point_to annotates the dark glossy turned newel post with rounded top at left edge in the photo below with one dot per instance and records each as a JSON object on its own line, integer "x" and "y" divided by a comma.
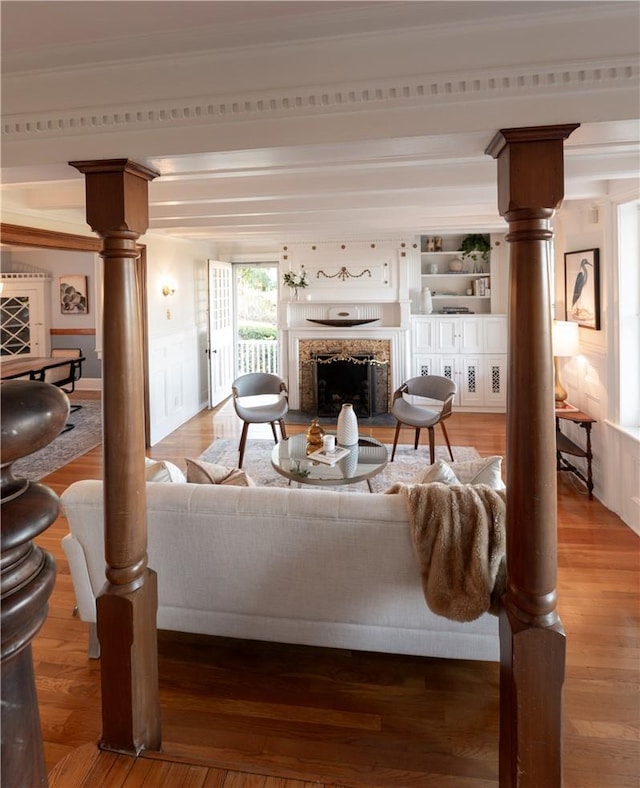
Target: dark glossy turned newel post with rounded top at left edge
{"x": 33, "y": 414}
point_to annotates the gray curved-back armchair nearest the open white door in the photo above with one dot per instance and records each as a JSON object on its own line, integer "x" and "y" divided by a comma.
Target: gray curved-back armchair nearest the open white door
{"x": 271, "y": 403}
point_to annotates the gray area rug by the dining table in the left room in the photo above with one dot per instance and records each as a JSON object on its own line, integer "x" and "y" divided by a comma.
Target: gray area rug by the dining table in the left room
{"x": 86, "y": 435}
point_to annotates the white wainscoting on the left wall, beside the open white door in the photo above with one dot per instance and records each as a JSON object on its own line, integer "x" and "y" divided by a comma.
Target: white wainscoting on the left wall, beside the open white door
{"x": 174, "y": 381}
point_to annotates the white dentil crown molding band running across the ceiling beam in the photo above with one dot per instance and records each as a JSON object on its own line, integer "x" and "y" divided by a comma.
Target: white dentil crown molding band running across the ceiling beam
{"x": 416, "y": 91}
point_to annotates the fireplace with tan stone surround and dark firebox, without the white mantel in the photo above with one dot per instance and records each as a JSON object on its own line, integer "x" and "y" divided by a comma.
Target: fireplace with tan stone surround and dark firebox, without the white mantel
{"x": 335, "y": 371}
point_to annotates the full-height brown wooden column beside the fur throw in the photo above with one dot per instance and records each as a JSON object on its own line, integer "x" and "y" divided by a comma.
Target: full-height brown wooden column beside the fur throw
{"x": 532, "y": 640}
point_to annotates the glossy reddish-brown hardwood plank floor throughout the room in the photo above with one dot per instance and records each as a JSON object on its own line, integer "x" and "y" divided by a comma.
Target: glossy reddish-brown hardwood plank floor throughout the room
{"x": 241, "y": 713}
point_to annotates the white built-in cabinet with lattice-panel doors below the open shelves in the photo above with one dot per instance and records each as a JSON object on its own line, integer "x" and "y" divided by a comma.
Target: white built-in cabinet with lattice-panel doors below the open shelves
{"x": 470, "y": 350}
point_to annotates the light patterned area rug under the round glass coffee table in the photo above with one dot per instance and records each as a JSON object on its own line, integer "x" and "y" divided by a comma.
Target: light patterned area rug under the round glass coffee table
{"x": 257, "y": 463}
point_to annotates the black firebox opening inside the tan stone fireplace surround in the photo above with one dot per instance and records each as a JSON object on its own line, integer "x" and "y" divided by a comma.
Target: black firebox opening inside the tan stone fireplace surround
{"x": 357, "y": 379}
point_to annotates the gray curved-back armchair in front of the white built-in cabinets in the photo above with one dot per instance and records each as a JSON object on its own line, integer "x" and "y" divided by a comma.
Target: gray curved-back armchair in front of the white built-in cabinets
{"x": 437, "y": 394}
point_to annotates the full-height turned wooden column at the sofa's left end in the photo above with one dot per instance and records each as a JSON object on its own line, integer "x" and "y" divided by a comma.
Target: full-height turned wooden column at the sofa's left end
{"x": 117, "y": 210}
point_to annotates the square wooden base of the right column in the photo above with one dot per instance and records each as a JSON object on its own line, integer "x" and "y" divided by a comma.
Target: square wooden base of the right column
{"x": 531, "y": 703}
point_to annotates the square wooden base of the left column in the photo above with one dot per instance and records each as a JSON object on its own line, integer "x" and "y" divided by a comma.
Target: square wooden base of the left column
{"x": 131, "y": 716}
